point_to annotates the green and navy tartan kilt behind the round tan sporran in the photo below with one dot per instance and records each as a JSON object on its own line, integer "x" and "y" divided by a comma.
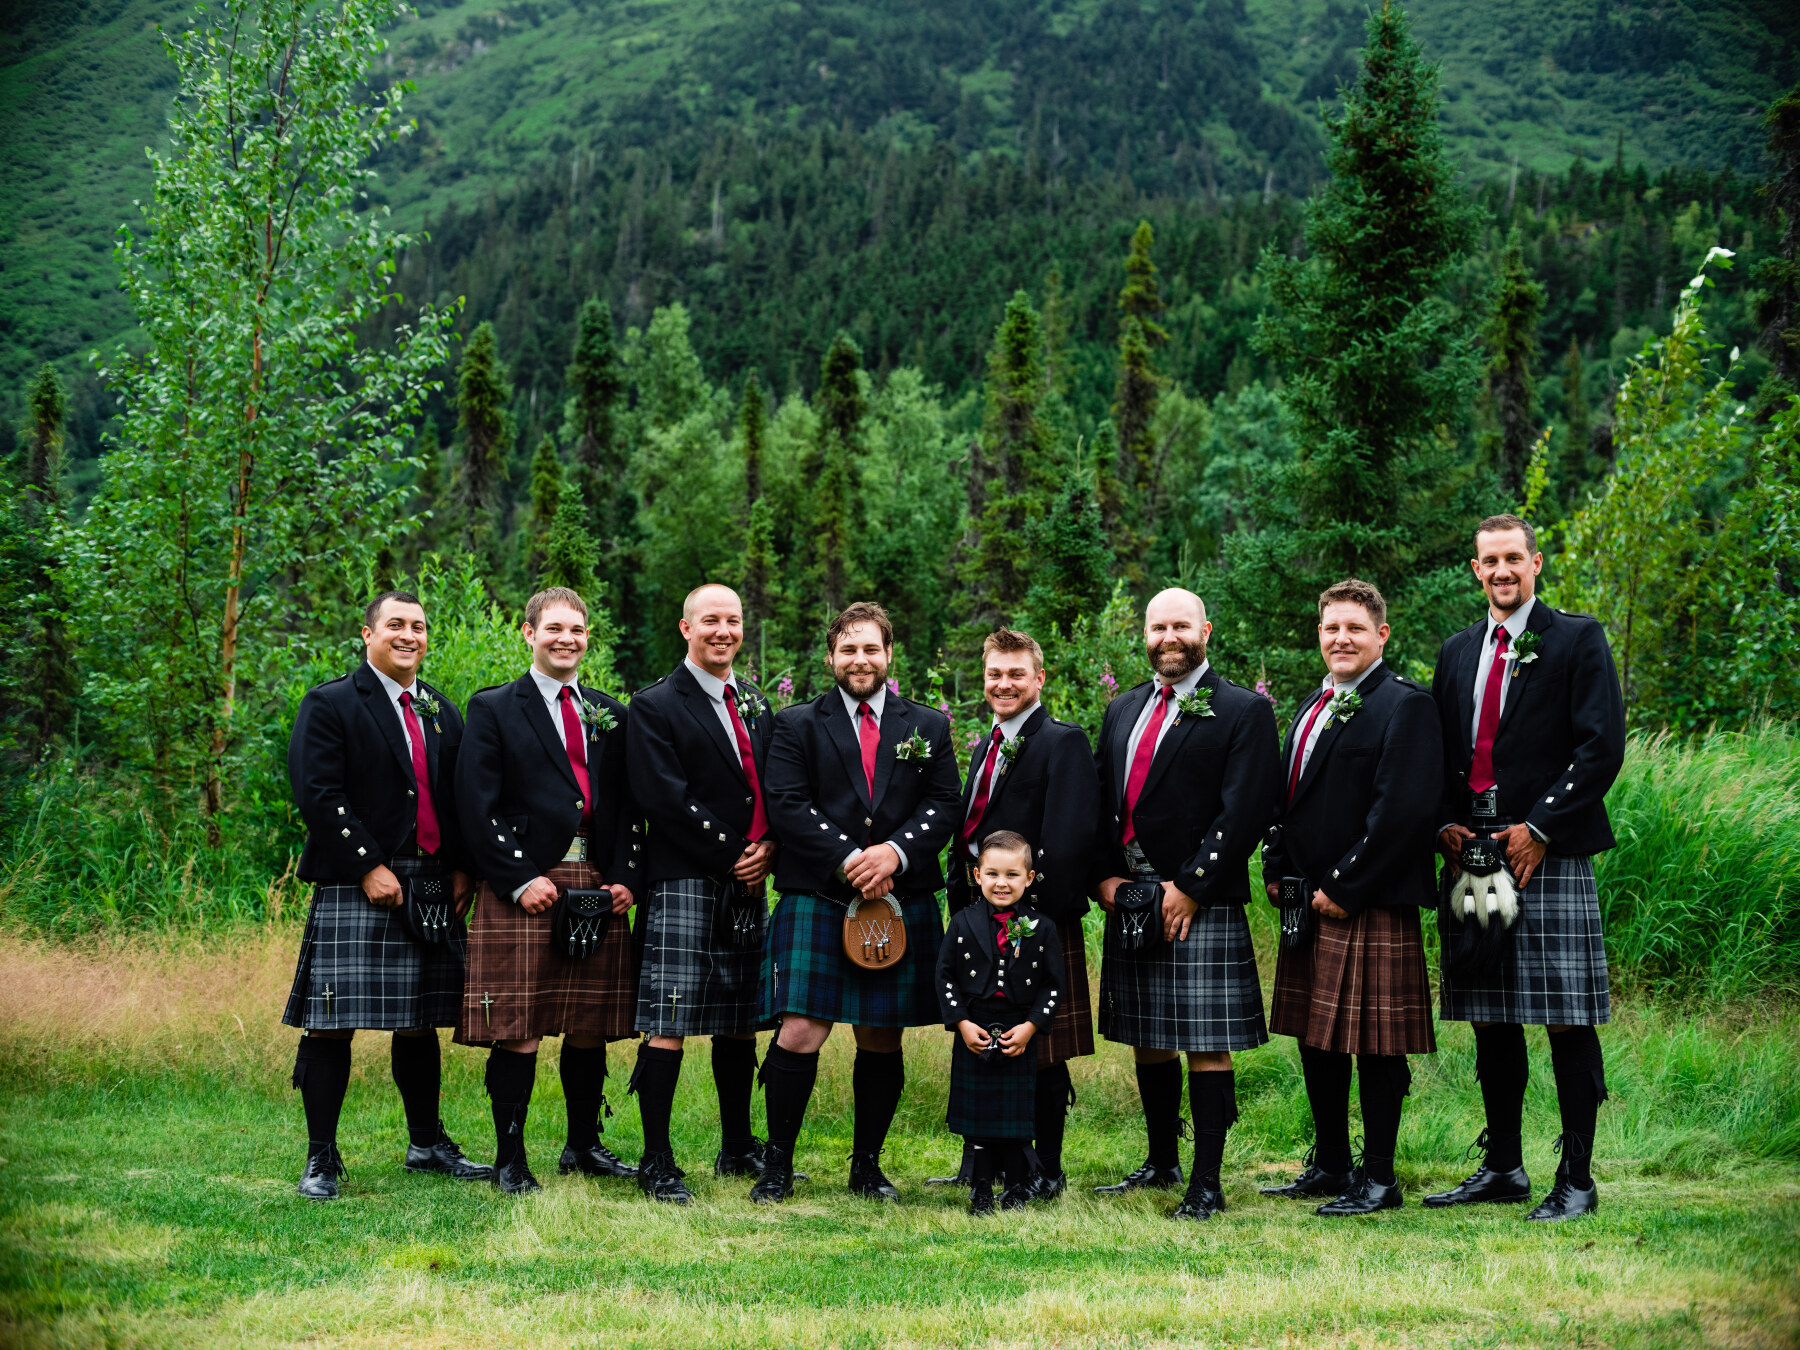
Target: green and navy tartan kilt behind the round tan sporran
{"x": 805, "y": 969}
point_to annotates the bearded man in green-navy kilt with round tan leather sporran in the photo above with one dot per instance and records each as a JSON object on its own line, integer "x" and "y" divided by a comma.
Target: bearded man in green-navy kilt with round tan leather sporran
{"x": 863, "y": 798}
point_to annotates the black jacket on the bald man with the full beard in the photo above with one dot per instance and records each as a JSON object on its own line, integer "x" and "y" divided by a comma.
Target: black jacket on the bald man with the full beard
{"x": 1210, "y": 798}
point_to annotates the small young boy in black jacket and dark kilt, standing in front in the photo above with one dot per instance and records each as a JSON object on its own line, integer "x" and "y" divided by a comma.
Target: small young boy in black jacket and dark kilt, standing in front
{"x": 1000, "y": 982}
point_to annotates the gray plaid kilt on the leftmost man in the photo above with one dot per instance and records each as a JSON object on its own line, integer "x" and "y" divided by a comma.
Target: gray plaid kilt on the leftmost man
{"x": 377, "y": 975}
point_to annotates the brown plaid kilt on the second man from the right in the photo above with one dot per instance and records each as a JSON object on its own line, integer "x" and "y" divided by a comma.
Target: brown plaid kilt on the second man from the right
{"x": 1360, "y": 987}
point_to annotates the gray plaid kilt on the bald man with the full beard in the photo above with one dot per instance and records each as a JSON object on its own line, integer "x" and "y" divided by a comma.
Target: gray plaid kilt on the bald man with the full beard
{"x": 1198, "y": 994}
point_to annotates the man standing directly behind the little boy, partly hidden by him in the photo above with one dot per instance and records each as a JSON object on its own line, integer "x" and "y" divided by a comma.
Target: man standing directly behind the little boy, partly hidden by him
{"x": 1036, "y": 777}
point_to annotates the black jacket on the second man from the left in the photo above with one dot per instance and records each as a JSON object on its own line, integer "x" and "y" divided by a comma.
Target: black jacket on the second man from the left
{"x": 521, "y": 798}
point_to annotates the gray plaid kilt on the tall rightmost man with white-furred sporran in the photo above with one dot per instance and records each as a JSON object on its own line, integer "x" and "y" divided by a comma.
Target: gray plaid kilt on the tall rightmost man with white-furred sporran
{"x": 1556, "y": 975}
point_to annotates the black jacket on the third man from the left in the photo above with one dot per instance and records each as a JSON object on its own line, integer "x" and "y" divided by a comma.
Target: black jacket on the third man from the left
{"x": 688, "y": 778}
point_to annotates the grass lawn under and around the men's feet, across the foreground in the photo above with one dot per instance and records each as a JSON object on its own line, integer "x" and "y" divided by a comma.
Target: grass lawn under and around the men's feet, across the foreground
{"x": 150, "y": 1147}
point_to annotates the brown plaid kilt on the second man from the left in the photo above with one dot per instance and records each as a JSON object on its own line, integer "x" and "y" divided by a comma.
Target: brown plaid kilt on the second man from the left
{"x": 535, "y": 991}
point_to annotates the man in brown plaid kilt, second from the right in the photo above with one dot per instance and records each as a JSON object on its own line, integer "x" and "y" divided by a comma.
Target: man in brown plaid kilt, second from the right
{"x": 1363, "y": 784}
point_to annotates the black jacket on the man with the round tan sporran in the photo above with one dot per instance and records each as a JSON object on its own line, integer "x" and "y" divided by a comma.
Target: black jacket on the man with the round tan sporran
{"x": 820, "y": 804}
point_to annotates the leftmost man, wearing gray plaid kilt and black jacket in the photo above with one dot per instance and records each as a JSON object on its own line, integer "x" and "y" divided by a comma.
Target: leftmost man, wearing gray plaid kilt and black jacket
{"x": 372, "y": 762}
